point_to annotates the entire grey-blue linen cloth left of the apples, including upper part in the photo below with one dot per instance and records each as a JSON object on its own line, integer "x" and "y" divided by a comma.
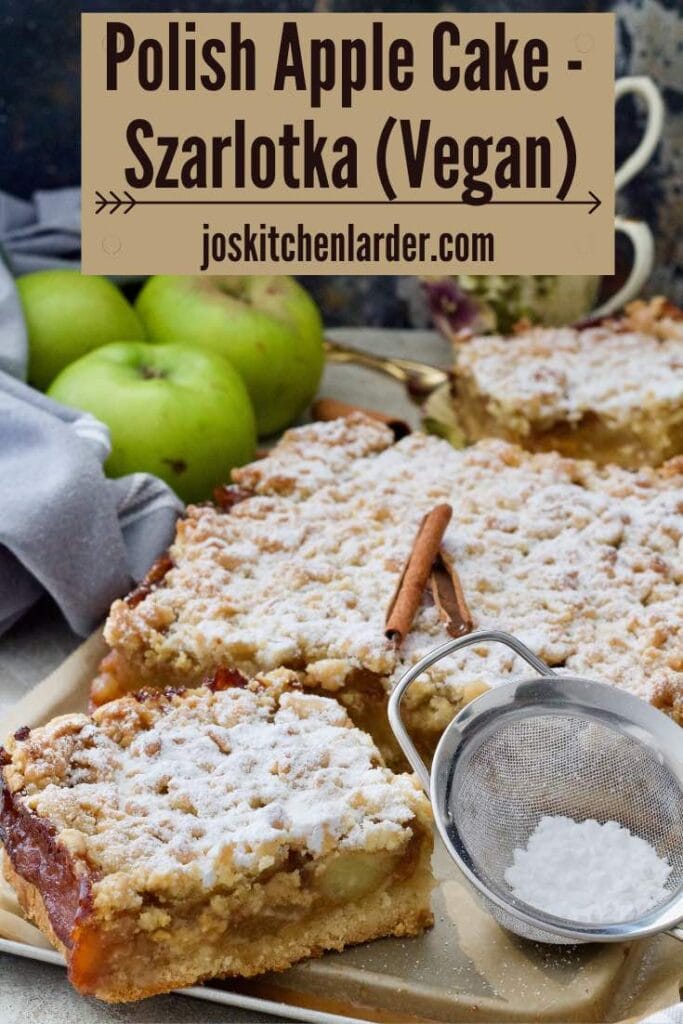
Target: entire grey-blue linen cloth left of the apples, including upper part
{"x": 65, "y": 528}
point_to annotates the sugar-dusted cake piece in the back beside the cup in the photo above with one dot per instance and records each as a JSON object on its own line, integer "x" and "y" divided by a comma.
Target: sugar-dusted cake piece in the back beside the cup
{"x": 612, "y": 393}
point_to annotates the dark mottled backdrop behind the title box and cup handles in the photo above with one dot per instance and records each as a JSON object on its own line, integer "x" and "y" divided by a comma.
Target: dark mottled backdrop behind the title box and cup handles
{"x": 40, "y": 129}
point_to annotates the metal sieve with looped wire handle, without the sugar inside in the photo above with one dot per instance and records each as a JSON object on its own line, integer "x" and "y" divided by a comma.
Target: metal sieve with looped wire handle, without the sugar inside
{"x": 552, "y": 745}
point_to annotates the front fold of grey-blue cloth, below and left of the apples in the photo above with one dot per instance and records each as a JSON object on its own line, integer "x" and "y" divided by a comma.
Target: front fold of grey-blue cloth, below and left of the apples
{"x": 65, "y": 528}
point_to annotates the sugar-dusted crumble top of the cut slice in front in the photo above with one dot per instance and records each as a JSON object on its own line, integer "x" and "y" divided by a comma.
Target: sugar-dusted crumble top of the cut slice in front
{"x": 200, "y": 789}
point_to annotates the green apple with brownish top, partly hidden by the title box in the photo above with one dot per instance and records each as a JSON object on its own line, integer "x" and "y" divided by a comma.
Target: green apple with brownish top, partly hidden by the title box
{"x": 269, "y": 328}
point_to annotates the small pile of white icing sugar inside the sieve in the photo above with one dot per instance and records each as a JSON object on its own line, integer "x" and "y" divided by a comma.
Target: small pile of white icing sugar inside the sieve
{"x": 587, "y": 872}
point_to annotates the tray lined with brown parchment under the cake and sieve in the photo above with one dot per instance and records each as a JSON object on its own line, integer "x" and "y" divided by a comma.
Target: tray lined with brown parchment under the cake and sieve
{"x": 465, "y": 969}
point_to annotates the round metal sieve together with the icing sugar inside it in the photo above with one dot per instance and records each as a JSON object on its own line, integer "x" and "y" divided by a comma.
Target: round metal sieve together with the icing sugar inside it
{"x": 562, "y": 801}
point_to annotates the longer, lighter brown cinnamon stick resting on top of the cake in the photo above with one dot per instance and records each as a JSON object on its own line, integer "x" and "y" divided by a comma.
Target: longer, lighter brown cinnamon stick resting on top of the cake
{"x": 408, "y": 596}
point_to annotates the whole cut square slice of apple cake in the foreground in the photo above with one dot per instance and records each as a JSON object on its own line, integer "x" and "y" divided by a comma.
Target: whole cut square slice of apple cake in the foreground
{"x": 179, "y": 836}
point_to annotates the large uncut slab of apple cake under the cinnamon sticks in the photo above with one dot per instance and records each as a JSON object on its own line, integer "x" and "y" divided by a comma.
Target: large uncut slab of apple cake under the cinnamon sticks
{"x": 298, "y": 565}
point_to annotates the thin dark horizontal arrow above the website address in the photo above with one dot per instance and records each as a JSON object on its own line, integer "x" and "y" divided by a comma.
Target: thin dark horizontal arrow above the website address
{"x": 125, "y": 205}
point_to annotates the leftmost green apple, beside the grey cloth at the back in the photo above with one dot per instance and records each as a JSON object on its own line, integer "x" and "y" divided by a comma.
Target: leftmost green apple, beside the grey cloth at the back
{"x": 69, "y": 315}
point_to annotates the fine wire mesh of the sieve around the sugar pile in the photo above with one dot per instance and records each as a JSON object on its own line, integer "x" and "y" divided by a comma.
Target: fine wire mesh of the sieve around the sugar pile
{"x": 527, "y": 765}
